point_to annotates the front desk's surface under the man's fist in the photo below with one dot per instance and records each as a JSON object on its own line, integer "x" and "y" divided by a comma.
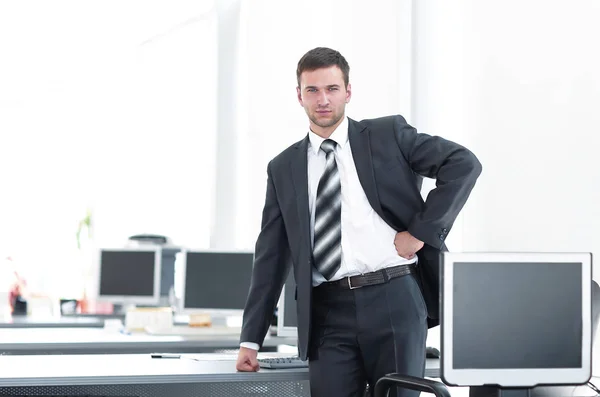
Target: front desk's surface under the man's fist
{"x": 68, "y": 370}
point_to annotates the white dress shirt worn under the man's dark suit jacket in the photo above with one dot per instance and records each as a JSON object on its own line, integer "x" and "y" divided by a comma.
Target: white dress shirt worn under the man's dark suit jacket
{"x": 367, "y": 241}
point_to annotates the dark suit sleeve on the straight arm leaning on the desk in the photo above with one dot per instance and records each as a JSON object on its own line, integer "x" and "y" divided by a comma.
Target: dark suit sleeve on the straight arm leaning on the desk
{"x": 271, "y": 266}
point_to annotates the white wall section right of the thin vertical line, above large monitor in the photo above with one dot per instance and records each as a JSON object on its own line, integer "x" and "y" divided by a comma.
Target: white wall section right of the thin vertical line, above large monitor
{"x": 519, "y": 84}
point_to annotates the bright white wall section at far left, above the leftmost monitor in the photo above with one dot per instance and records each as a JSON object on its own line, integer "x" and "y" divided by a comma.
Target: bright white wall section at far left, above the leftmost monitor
{"x": 108, "y": 105}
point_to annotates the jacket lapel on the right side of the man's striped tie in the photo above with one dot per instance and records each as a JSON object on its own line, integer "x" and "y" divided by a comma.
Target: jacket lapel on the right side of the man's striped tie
{"x": 360, "y": 143}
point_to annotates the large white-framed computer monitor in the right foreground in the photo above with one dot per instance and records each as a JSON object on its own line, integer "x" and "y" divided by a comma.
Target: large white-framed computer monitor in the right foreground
{"x": 516, "y": 320}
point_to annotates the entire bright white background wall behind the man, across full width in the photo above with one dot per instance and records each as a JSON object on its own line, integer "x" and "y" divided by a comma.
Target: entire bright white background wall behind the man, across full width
{"x": 517, "y": 82}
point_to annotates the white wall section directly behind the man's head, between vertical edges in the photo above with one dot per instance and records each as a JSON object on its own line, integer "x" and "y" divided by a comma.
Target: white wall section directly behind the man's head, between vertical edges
{"x": 373, "y": 36}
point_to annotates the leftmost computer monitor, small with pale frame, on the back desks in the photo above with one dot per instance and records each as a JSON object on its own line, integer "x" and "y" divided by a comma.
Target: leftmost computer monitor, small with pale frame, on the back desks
{"x": 130, "y": 275}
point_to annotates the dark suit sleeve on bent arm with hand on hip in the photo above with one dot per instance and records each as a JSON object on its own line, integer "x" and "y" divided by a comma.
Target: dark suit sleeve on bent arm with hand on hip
{"x": 455, "y": 170}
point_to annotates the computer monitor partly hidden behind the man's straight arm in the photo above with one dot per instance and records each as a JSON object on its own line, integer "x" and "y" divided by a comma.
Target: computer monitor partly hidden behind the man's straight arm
{"x": 215, "y": 281}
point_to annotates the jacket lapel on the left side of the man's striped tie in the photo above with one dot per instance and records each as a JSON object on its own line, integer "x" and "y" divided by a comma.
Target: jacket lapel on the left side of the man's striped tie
{"x": 299, "y": 168}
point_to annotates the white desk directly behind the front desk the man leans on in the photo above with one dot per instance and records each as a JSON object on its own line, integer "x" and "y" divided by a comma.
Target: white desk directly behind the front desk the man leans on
{"x": 35, "y": 341}
